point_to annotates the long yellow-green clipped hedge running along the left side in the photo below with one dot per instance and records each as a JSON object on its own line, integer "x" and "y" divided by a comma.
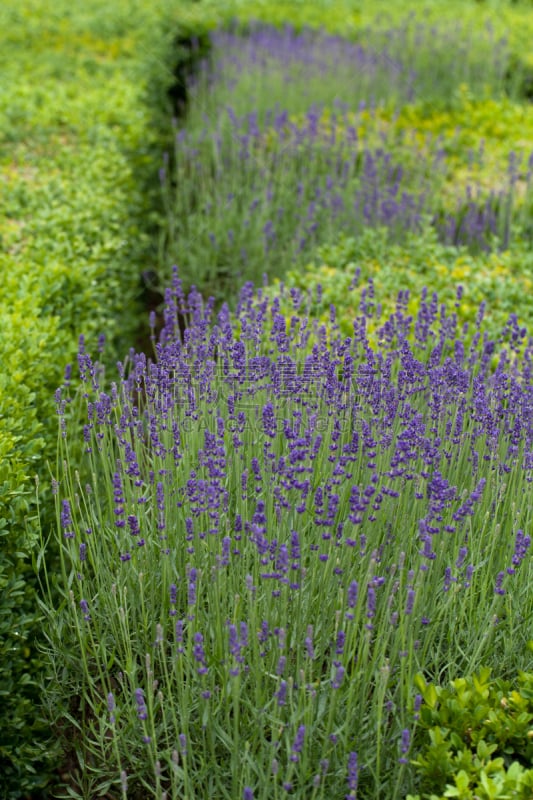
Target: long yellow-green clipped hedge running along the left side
{"x": 83, "y": 124}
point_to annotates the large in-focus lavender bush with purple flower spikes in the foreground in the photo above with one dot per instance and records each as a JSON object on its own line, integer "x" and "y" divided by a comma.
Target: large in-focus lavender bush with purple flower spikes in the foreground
{"x": 272, "y": 530}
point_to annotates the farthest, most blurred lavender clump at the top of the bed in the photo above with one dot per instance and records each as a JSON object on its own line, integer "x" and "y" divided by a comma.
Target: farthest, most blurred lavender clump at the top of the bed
{"x": 257, "y": 66}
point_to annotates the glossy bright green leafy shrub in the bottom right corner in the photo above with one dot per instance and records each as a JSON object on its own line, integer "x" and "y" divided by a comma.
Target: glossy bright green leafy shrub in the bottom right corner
{"x": 480, "y": 735}
